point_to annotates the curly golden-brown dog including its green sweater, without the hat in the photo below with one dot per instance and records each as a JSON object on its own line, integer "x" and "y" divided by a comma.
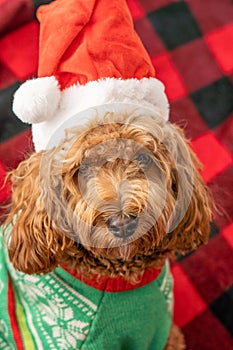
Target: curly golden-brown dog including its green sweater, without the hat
{"x": 105, "y": 208}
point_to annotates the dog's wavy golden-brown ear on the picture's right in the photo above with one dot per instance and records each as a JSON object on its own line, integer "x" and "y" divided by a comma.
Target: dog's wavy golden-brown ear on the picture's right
{"x": 189, "y": 225}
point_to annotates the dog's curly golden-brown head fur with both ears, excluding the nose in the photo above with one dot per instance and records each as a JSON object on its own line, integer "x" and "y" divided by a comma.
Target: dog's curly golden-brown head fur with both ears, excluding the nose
{"x": 138, "y": 167}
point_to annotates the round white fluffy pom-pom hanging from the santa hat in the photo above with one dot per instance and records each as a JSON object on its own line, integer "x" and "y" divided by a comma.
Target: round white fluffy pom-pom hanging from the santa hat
{"x": 37, "y": 100}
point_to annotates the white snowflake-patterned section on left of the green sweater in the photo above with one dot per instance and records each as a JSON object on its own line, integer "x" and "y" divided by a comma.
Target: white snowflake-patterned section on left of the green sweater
{"x": 55, "y": 306}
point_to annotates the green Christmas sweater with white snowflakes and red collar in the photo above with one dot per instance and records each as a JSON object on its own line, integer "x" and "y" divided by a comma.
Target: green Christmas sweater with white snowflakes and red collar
{"x": 58, "y": 311}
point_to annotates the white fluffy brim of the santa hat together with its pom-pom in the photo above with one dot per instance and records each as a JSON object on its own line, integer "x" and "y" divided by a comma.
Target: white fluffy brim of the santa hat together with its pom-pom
{"x": 146, "y": 93}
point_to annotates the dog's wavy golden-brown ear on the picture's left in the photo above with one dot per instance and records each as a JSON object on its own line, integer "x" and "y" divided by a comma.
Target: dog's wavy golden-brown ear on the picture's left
{"x": 35, "y": 244}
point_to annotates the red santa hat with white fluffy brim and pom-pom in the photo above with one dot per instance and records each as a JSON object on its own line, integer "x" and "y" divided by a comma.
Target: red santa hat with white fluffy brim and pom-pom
{"x": 89, "y": 56}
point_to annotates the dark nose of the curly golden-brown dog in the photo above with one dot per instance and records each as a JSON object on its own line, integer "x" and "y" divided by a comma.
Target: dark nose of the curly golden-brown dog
{"x": 122, "y": 226}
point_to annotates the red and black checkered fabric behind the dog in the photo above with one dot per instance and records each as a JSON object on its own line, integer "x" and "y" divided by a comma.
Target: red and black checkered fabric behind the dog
{"x": 191, "y": 46}
